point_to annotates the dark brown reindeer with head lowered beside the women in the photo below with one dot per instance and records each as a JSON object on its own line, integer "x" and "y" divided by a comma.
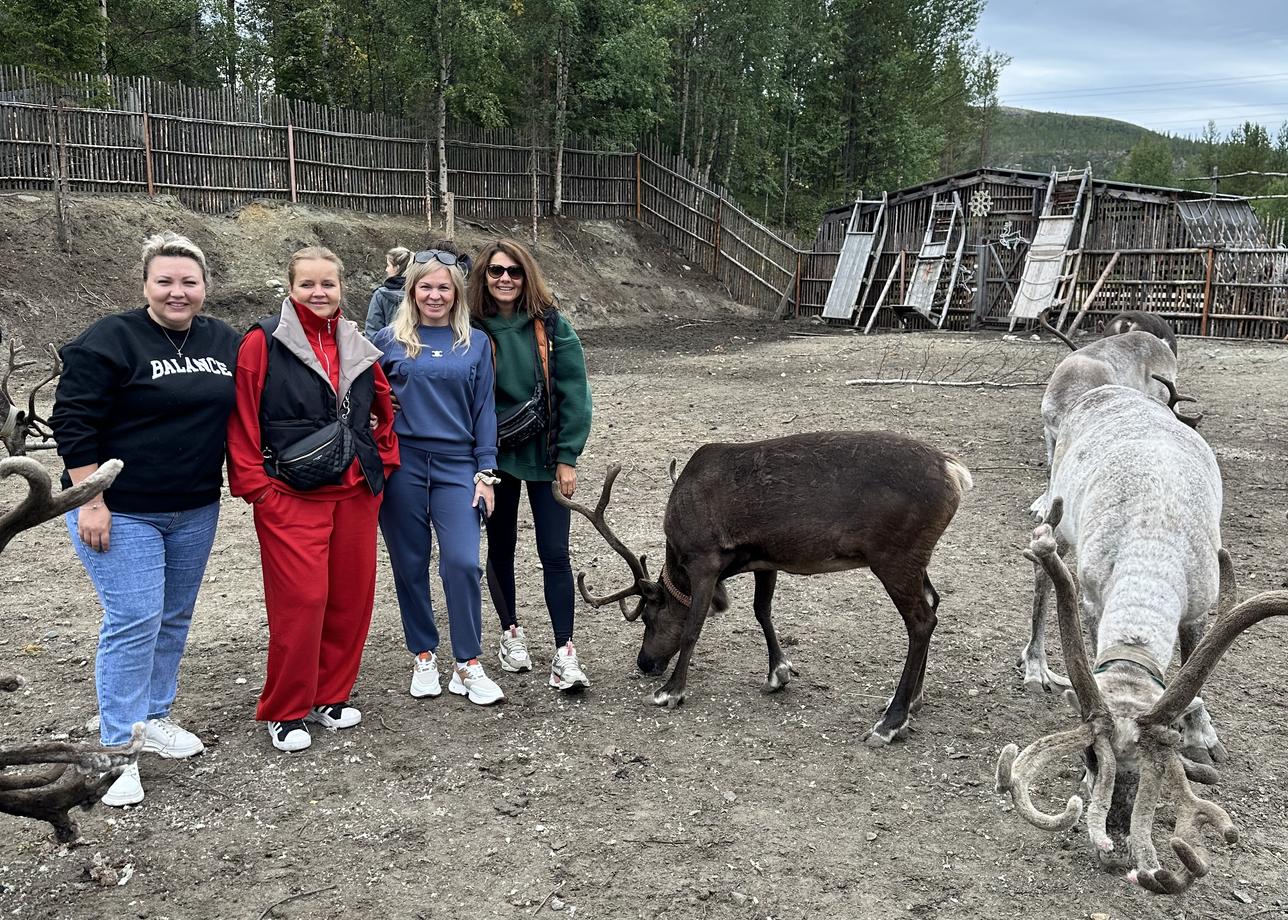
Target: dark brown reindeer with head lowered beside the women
{"x": 803, "y": 504}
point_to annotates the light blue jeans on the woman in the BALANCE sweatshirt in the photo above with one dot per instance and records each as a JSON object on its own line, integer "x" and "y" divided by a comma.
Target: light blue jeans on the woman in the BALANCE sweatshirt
{"x": 147, "y": 582}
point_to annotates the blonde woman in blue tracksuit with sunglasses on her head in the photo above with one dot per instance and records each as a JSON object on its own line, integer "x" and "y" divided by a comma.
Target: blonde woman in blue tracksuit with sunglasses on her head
{"x": 441, "y": 373}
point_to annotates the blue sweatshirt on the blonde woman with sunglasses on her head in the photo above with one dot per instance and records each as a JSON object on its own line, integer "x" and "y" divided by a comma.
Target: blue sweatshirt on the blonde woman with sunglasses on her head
{"x": 446, "y": 398}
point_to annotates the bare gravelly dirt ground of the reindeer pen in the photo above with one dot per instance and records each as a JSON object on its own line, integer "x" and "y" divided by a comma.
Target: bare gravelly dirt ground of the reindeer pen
{"x": 737, "y": 805}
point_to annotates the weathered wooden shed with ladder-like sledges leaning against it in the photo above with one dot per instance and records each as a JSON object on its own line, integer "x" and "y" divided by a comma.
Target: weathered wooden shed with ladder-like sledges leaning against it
{"x": 978, "y": 248}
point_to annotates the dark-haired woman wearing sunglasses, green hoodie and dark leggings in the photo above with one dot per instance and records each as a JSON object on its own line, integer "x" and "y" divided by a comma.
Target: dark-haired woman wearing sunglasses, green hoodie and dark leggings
{"x": 538, "y": 356}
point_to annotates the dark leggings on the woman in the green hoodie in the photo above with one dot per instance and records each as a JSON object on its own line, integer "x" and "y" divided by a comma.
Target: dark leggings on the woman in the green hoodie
{"x": 552, "y": 521}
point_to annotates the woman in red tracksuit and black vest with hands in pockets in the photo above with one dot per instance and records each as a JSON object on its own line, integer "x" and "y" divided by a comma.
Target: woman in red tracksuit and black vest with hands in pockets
{"x": 297, "y": 374}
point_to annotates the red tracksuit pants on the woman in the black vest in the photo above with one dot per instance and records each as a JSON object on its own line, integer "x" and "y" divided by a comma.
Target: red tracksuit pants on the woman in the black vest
{"x": 320, "y": 584}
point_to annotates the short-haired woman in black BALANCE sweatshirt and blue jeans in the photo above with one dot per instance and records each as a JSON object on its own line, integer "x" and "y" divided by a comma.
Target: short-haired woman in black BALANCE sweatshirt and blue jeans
{"x": 154, "y": 388}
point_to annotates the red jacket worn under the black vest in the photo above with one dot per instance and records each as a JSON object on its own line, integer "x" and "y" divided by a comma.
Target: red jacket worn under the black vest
{"x": 247, "y": 476}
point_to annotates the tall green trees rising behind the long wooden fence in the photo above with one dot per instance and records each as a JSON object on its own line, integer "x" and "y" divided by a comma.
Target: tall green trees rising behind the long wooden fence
{"x": 793, "y": 105}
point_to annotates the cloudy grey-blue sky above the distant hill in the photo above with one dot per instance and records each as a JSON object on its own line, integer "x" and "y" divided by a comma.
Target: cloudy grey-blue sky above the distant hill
{"x": 1226, "y": 60}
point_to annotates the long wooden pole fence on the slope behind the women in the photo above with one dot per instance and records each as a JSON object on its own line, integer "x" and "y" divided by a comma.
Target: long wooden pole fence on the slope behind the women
{"x": 218, "y": 151}
